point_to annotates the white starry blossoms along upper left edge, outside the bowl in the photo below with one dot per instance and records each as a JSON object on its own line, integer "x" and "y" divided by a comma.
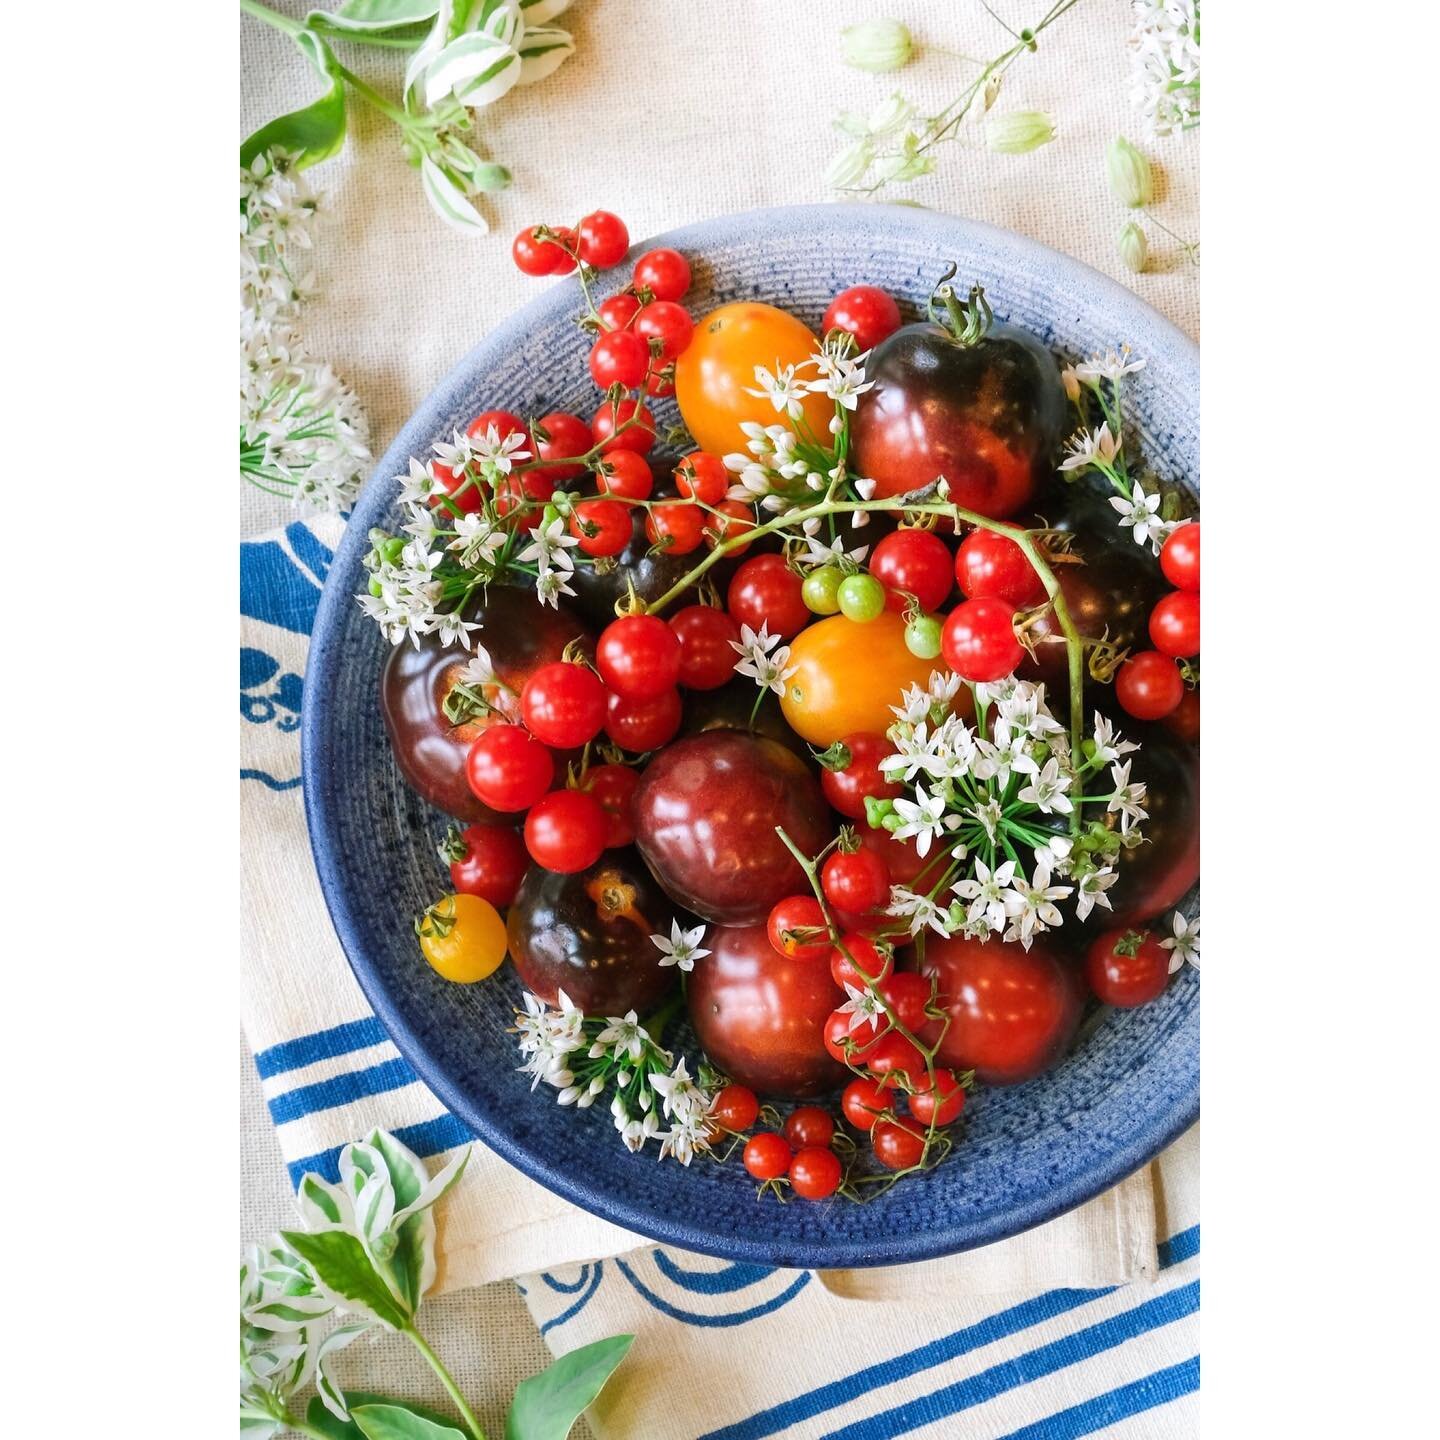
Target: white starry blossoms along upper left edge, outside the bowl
{"x": 302, "y": 430}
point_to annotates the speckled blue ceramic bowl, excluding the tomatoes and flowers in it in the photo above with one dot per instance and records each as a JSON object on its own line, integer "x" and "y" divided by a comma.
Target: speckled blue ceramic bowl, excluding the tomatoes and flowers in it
{"x": 1029, "y": 1153}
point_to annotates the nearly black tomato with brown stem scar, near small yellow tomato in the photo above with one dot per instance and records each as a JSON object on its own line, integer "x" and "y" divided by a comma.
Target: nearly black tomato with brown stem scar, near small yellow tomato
{"x": 588, "y": 935}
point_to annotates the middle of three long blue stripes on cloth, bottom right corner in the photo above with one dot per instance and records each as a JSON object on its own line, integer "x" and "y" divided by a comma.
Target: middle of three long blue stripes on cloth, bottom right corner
{"x": 1025, "y": 1370}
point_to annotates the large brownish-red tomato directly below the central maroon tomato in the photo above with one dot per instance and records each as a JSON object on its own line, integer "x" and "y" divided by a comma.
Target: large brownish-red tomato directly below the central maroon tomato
{"x": 761, "y": 1016}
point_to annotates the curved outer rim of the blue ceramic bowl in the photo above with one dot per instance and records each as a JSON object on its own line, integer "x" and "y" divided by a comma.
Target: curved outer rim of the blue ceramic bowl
{"x": 322, "y": 695}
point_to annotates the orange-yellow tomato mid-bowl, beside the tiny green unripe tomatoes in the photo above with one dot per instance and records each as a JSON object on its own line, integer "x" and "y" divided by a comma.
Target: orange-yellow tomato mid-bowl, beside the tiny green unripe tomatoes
{"x": 847, "y": 678}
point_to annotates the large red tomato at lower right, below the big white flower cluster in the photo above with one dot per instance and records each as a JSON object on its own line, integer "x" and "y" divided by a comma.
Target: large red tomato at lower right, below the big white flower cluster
{"x": 1013, "y": 1012}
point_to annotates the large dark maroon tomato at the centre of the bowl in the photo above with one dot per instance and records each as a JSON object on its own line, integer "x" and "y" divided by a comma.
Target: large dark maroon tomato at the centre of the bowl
{"x": 706, "y": 816}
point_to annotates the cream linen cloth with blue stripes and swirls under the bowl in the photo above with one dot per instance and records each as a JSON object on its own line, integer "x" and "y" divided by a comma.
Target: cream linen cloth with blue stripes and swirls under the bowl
{"x": 983, "y": 1350}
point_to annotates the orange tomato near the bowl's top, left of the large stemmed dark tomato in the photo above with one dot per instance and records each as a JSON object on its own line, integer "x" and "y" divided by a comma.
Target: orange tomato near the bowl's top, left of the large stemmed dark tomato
{"x": 718, "y": 368}
